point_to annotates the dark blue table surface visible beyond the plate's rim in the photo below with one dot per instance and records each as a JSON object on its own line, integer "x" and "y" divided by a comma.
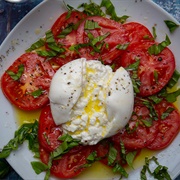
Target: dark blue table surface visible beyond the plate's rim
{"x": 12, "y": 13}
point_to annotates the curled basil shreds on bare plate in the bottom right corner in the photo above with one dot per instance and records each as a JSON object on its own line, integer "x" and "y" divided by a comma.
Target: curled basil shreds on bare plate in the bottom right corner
{"x": 160, "y": 172}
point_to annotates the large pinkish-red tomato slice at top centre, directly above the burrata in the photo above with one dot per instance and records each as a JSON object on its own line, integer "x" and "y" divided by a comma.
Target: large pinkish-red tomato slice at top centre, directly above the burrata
{"x": 108, "y": 51}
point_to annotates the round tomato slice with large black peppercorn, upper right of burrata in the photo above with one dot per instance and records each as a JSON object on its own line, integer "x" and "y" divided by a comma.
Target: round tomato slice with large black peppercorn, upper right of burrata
{"x": 163, "y": 65}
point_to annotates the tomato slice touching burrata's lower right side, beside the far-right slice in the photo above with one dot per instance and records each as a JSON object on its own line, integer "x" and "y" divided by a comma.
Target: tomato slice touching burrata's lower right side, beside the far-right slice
{"x": 140, "y": 135}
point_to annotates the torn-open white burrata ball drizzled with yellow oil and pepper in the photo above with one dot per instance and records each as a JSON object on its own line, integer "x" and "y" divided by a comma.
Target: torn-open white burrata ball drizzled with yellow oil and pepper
{"x": 90, "y": 100}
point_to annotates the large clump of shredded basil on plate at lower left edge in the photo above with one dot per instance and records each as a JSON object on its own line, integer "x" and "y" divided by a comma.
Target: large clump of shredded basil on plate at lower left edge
{"x": 27, "y": 131}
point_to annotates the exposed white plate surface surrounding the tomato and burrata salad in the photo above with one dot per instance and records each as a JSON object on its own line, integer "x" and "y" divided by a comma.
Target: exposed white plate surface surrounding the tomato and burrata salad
{"x": 33, "y": 26}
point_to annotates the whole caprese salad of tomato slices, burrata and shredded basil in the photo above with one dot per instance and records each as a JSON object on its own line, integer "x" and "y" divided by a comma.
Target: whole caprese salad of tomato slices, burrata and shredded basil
{"x": 102, "y": 85}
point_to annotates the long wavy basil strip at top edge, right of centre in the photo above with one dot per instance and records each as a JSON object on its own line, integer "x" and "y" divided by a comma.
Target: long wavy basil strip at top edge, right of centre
{"x": 110, "y": 10}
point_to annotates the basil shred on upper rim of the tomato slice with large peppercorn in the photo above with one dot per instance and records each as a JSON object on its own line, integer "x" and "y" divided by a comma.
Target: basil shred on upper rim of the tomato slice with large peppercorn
{"x": 156, "y": 49}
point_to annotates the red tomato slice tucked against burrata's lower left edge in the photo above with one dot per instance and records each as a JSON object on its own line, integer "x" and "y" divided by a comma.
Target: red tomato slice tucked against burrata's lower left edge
{"x": 48, "y": 132}
